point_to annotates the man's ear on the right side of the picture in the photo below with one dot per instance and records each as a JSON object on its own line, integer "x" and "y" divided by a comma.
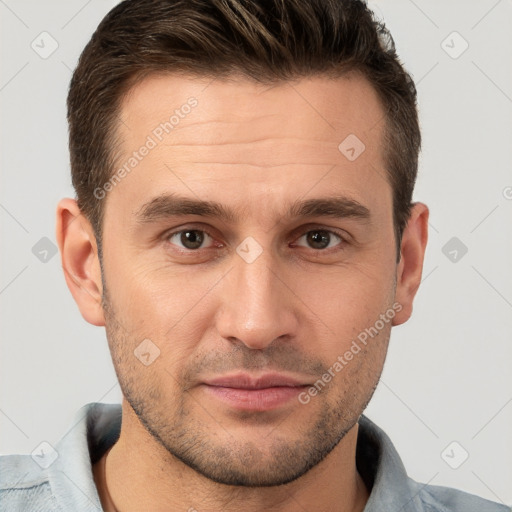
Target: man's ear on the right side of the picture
{"x": 412, "y": 252}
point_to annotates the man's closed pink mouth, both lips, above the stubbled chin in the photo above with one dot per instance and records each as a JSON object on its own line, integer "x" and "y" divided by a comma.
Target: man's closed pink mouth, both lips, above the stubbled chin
{"x": 249, "y": 393}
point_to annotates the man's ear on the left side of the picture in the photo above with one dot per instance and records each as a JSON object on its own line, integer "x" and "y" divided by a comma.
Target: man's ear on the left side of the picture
{"x": 80, "y": 262}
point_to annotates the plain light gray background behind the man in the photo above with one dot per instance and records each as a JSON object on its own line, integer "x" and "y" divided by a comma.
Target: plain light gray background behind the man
{"x": 447, "y": 377}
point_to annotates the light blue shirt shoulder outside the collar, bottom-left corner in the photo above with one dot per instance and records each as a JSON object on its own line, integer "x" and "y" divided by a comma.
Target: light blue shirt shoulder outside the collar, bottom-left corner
{"x": 24, "y": 485}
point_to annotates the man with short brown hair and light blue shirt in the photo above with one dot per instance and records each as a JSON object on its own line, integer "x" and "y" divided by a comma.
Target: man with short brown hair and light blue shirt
{"x": 244, "y": 231}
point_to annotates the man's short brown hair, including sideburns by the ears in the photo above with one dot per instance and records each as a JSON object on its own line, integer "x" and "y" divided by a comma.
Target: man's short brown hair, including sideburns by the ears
{"x": 267, "y": 41}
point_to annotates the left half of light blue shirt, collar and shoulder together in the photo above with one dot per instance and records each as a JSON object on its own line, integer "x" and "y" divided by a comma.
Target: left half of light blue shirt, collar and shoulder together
{"x": 60, "y": 478}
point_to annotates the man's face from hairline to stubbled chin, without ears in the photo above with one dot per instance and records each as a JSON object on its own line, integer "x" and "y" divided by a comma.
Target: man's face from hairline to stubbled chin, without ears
{"x": 275, "y": 287}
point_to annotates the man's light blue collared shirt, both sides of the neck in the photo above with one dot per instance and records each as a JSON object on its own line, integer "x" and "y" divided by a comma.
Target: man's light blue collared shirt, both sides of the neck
{"x": 61, "y": 479}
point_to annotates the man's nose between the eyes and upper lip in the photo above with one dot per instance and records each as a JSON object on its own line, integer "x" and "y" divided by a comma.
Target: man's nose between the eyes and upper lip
{"x": 258, "y": 305}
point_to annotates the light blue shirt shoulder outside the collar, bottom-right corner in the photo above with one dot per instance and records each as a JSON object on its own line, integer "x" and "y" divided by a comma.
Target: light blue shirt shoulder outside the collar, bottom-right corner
{"x": 436, "y": 498}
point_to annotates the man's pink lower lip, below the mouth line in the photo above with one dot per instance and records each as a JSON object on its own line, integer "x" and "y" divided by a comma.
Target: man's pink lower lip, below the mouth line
{"x": 255, "y": 399}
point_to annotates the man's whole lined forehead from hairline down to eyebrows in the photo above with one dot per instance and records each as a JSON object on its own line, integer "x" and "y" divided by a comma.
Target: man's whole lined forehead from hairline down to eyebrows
{"x": 238, "y": 139}
